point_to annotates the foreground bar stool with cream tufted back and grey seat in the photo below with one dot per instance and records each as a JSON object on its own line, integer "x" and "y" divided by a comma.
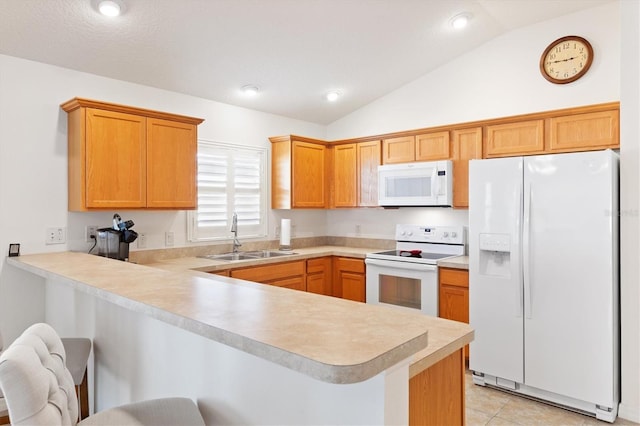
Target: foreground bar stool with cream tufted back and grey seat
{"x": 37, "y": 386}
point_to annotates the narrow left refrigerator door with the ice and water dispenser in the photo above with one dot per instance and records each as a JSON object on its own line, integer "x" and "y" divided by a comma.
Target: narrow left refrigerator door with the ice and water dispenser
{"x": 495, "y": 267}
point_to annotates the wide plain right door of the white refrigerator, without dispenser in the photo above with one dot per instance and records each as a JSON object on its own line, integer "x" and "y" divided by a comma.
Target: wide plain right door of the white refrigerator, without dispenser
{"x": 569, "y": 300}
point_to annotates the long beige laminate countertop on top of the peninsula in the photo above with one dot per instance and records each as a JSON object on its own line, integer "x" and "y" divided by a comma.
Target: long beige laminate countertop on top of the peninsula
{"x": 330, "y": 339}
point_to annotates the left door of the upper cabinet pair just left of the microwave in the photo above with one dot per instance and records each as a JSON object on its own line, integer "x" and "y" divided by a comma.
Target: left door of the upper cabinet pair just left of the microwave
{"x": 345, "y": 176}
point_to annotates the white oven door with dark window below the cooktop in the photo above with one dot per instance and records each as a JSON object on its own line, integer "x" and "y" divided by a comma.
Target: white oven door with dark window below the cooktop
{"x": 406, "y": 285}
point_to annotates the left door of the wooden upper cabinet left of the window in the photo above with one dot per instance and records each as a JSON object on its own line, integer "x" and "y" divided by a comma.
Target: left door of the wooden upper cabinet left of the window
{"x": 115, "y": 160}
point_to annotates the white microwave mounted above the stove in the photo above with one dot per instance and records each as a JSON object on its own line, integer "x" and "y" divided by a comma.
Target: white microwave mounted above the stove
{"x": 427, "y": 183}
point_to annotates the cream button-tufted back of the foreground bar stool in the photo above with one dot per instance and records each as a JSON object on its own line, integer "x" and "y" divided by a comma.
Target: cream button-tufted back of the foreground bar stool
{"x": 38, "y": 388}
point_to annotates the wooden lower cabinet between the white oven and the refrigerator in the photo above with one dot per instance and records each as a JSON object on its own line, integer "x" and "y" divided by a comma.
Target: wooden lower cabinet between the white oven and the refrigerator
{"x": 453, "y": 295}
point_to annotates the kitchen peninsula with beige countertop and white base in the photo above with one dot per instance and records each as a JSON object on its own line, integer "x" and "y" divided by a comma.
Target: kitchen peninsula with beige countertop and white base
{"x": 245, "y": 352}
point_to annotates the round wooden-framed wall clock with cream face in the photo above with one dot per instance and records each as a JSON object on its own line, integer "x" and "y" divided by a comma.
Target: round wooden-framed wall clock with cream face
{"x": 566, "y": 59}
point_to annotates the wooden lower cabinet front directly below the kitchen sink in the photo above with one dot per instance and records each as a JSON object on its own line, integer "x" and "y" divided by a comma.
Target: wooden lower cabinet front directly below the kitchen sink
{"x": 286, "y": 274}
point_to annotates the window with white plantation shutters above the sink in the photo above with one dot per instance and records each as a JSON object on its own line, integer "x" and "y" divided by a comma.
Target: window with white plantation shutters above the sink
{"x": 231, "y": 178}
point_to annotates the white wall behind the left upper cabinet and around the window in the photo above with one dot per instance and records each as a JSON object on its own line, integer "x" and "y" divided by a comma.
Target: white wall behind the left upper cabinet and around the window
{"x": 33, "y": 167}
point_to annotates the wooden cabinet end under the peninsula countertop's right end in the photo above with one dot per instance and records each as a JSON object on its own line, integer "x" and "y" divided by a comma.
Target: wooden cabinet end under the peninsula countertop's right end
{"x": 436, "y": 395}
